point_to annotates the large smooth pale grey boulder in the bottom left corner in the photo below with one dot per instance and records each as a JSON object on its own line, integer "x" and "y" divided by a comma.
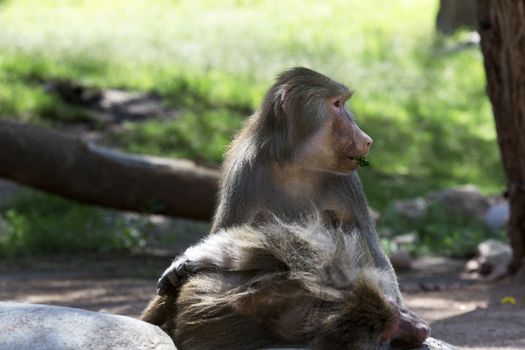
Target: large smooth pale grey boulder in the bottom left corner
{"x": 43, "y": 327}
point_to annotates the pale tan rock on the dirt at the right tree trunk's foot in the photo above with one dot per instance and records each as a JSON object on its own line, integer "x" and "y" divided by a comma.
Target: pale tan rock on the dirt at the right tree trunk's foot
{"x": 493, "y": 256}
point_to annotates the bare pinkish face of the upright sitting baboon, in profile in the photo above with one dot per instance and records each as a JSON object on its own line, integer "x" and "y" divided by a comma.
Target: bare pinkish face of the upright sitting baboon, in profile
{"x": 338, "y": 143}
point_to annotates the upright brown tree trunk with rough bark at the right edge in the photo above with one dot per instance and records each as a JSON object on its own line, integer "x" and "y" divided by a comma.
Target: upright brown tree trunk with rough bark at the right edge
{"x": 502, "y": 30}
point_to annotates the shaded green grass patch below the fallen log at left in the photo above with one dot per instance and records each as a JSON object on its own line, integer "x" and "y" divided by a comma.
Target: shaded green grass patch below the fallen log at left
{"x": 36, "y": 223}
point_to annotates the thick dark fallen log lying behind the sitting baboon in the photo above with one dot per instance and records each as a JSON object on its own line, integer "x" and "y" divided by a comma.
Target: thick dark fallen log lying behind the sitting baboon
{"x": 76, "y": 169}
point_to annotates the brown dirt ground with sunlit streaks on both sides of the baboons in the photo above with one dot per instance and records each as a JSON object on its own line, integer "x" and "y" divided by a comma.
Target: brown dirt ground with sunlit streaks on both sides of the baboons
{"x": 462, "y": 311}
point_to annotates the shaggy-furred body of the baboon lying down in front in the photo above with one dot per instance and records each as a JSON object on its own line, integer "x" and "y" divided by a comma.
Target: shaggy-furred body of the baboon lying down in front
{"x": 272, "y": 284}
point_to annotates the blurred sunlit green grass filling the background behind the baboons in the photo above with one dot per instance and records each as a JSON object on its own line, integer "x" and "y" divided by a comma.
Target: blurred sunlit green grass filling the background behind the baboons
{"x": 421, "y": 99}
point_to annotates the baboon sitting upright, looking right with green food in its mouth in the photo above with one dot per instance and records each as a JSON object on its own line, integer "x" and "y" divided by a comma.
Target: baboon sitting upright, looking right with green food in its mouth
{"x": 297, "y": 153}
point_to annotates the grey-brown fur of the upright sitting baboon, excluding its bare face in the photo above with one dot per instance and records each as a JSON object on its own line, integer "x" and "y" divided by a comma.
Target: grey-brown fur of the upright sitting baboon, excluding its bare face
{"x": 266, "y": 144}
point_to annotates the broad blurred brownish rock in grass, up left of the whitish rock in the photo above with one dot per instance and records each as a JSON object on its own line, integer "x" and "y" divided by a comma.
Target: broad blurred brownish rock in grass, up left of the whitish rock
{"x": 465, "y": 201}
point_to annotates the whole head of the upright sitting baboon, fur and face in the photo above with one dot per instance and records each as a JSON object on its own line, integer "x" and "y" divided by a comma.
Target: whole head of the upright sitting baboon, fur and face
{"x": 304, "y": 120}
